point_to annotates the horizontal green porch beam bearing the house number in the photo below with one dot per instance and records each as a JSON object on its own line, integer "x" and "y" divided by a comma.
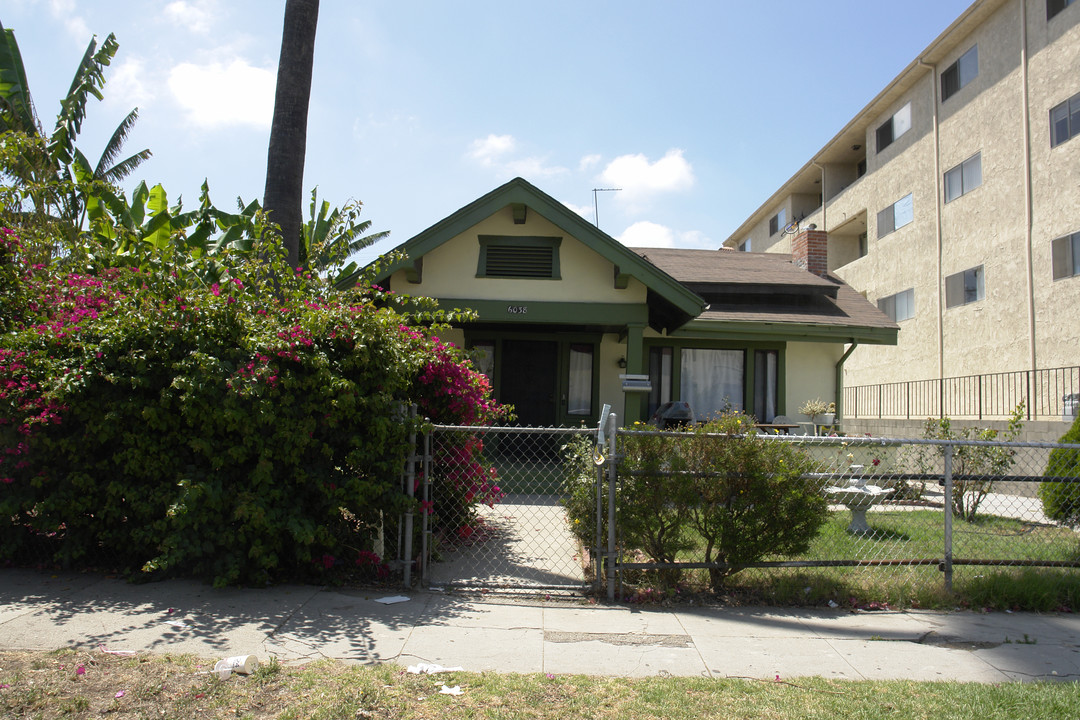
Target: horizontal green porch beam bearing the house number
{"x": 526, "y": 313}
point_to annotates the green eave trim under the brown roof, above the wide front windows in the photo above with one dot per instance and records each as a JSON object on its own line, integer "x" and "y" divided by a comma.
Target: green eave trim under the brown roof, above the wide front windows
{"x": 785, "y": 332}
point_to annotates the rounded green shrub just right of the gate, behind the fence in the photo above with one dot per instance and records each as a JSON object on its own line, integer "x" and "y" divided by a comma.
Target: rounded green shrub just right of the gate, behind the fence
{"x": 721, "y": 492}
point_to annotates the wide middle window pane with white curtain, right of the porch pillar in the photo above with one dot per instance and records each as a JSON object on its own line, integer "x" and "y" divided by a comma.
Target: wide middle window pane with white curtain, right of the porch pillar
{"x": 712, "y": 381}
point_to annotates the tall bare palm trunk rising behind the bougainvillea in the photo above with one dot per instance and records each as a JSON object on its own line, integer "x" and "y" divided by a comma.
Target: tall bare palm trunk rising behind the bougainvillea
{"x": 289, "y": 132}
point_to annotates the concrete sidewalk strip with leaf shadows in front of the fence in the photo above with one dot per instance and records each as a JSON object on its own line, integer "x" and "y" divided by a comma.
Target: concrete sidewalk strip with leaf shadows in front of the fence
{"x": 296, "y": 624}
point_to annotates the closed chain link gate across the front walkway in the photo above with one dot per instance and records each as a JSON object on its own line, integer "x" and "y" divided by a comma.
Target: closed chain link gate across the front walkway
{"x": 493, "y": 504}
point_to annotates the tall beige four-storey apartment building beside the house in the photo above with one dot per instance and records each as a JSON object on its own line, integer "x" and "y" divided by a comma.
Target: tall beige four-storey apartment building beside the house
{"x": 952, "y": 201}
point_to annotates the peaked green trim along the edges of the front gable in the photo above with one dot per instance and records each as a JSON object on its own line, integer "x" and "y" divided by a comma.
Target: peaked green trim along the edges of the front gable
{"x": 687, "y": 304}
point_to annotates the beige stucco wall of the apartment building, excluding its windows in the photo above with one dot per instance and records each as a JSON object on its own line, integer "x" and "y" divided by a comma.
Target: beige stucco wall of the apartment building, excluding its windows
{"x": 987, "y": 227}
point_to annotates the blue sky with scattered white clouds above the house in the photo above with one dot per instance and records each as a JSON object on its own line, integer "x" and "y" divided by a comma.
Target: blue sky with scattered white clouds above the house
{"x": 699, "y": 111}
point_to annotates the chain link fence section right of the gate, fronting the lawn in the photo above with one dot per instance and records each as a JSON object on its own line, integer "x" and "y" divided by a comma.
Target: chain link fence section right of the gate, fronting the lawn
{"x": 892, "y": 519}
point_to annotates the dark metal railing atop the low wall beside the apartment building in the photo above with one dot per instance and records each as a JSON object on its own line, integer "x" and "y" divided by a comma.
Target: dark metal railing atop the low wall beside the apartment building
{"x": 1047, "y": 395}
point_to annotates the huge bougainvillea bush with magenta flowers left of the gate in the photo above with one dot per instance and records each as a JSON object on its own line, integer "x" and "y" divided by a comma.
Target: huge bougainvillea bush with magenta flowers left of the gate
{"x": 241, "y": 431}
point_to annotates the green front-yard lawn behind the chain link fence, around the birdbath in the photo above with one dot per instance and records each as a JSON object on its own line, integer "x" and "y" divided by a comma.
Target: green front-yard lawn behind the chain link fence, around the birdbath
{"x": 919, "y": 535}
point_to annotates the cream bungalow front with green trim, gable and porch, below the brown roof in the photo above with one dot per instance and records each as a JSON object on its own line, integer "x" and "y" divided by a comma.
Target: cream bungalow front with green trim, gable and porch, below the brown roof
{"x": 556, "y": 341}
